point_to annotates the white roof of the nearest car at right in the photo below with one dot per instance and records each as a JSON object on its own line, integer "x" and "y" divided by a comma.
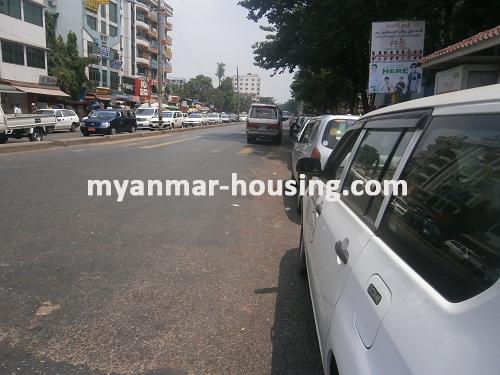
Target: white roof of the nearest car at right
{"x": 480, "y": 95}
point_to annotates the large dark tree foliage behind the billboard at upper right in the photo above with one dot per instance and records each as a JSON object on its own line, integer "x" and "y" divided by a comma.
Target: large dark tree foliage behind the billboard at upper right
{"x": 330, "y": 39}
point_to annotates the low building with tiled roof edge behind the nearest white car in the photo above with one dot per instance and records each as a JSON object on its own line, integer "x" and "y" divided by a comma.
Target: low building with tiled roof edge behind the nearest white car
{"x": 470, "y": 63}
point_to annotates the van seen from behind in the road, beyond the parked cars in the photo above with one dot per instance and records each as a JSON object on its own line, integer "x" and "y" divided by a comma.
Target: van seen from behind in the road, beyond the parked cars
{"x": 264, "y": 122}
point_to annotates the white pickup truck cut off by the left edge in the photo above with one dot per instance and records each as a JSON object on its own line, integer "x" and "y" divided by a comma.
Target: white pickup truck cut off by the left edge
{"x": 32, "y": 126}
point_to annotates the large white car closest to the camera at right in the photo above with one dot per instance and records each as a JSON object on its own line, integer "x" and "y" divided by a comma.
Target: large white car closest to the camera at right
{"x": 385, "y": 297}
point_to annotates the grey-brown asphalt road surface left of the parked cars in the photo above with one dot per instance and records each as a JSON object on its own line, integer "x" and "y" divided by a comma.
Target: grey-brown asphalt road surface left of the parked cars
{"x": 152, "y": 285}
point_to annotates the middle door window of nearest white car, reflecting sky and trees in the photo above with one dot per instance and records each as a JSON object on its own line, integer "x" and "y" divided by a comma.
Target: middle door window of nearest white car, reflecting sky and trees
{"x": 376, "y": 159}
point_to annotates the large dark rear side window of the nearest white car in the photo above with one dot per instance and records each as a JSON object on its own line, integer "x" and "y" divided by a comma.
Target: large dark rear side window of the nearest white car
{"x": 447, "y": 227}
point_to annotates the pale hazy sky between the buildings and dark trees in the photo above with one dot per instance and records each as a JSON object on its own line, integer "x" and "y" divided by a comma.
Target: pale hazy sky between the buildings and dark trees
{"x": 209, "y": 31}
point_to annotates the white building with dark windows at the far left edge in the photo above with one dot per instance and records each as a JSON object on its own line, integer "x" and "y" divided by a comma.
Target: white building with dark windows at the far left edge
{"x": 23, "y": 56}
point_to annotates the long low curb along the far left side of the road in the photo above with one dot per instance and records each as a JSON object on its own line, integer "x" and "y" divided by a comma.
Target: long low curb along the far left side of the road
{"x": 57, "y": 143}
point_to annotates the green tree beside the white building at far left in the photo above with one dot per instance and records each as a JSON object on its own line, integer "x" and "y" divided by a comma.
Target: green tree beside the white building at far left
{"x": 64, "y": 61}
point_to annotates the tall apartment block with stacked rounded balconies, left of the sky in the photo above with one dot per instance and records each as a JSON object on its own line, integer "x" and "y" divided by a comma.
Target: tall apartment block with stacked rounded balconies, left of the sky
{"x": 143, "y": 38}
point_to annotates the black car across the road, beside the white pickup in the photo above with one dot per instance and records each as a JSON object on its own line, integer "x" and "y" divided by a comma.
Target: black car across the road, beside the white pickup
{"x": 109, "y": 121}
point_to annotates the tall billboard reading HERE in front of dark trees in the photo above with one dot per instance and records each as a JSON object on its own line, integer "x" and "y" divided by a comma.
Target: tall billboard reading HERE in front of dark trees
{"x": 396, "y": 48}
